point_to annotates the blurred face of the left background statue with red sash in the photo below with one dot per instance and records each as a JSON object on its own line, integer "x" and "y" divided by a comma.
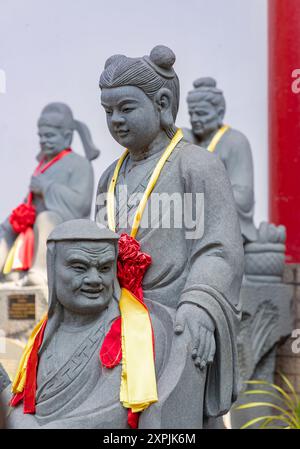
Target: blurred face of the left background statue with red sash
{"x": 53, "y": 140}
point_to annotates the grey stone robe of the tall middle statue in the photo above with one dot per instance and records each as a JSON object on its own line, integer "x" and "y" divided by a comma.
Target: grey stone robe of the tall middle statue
{"x": 206, "y": 271}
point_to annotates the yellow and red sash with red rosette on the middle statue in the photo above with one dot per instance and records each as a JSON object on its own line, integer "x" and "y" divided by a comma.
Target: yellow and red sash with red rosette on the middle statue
{"x": 130, "y": 338}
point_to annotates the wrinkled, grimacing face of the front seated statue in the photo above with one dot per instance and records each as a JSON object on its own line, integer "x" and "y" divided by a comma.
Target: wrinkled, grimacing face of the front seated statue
{"x": 84, "y": 275}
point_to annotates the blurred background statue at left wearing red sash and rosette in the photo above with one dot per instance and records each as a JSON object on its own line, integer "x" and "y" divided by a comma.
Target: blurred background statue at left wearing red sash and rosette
{"x": 60, "y": 189}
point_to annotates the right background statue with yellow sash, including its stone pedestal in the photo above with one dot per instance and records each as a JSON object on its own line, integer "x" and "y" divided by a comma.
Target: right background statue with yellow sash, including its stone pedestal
{"x": 266, "y": 300}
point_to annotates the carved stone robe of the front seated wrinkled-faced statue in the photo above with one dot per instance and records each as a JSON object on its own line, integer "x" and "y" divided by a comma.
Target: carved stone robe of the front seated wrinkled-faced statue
{"x": 78, "y": 392}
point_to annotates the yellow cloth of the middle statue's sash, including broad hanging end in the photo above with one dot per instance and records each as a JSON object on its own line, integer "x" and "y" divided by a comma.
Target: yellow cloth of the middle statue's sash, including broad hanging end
{"x": 138, "y": 381}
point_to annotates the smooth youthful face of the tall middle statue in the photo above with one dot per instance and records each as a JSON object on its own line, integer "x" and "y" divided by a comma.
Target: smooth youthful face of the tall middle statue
{"x": 132, "y": 118}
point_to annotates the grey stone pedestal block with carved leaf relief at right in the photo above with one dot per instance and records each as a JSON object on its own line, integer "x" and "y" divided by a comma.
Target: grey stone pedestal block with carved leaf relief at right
{"x": 266, "y": 322}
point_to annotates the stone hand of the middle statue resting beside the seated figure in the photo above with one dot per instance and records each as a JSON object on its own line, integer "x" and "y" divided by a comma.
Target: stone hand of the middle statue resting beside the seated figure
{"x": 202, "y": 330}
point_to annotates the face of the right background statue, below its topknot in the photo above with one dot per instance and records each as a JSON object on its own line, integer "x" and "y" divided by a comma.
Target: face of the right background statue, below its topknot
{"x": 204, "y": 118}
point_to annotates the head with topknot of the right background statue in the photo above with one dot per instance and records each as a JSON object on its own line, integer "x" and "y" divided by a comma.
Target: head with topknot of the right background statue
{"x": 206, "y": 105}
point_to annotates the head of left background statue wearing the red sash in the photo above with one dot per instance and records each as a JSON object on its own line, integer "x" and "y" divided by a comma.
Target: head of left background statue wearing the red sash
{"x": 55, "y": 129}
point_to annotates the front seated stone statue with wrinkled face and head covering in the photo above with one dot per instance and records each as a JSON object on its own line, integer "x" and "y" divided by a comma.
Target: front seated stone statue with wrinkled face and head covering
{"x": 73, "y": 389}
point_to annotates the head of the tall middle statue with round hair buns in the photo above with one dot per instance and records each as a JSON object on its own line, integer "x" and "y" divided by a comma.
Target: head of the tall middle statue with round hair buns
{"x": 140, "y": 97}
